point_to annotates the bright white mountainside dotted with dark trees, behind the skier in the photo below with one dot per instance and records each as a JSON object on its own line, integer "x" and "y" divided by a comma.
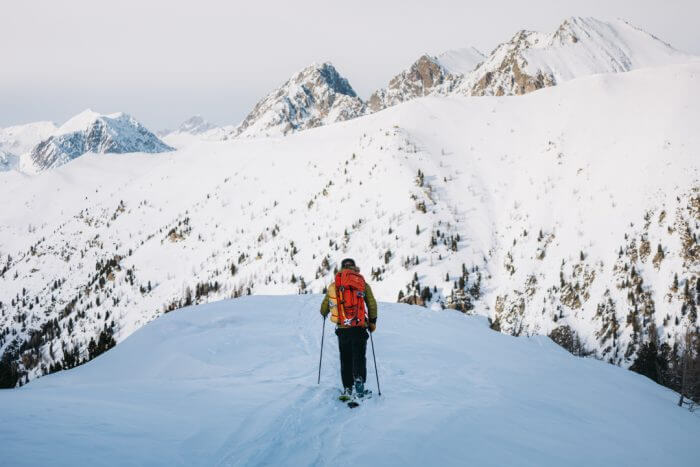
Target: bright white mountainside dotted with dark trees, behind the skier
{"x": 538, "y": 211}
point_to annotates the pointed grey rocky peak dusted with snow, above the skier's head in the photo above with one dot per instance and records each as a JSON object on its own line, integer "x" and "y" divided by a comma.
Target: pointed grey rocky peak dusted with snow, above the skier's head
{"x": 317, "y": 95}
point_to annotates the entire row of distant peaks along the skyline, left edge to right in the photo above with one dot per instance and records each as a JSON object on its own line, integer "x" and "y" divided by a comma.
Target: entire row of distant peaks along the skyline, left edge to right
{"x": 319, "y": 95}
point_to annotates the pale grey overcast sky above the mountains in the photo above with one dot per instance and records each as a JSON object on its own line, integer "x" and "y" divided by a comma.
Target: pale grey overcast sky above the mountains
{"x": 163, "y": 61}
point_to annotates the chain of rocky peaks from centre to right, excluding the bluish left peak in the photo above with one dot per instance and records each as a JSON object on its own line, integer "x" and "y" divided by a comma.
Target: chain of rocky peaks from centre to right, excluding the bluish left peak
{"x": 319, "y": 95}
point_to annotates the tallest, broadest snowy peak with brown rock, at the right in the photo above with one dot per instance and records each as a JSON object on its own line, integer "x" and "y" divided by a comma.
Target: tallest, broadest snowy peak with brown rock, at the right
{"x": 579, "y": 47}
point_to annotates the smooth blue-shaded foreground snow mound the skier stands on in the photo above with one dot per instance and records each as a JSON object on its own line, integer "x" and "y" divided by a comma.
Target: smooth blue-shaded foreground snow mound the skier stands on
{"x": 234, "y": 383}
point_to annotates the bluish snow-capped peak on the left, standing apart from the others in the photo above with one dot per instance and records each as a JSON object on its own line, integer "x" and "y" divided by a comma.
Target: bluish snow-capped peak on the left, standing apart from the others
{"x": 90, "y": 131}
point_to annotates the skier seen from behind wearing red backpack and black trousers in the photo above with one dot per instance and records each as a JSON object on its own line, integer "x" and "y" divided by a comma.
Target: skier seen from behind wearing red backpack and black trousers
{"x": 354, "y": 311}
